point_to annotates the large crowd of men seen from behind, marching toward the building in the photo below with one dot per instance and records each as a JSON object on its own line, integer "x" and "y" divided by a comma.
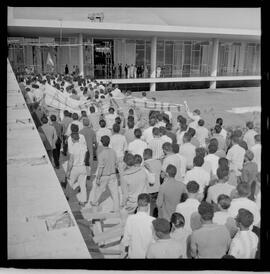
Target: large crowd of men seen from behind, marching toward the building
{"x": 190, "y": 191}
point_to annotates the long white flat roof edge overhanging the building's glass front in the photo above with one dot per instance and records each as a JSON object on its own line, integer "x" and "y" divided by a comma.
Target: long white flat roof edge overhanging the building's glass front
{"x": 51, "y": 28}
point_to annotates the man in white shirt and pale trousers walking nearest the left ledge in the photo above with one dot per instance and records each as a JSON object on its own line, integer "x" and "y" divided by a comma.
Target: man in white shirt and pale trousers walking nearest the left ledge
{"x": 76, "y": 170}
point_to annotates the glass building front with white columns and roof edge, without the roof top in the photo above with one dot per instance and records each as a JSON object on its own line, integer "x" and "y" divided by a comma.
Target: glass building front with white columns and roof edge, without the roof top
{"x": 134, "y": 53}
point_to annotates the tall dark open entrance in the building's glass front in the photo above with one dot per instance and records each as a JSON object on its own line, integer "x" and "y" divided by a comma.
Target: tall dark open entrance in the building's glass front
{"x": 103, "y": 58}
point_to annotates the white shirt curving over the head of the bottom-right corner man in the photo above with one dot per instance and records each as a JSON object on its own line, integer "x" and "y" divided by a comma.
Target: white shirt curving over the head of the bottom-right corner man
{"x": 245, "y": 203}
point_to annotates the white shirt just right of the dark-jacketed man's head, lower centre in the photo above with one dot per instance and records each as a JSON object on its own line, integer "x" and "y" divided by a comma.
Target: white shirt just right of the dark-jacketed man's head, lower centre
{"x": 199, "y": 175}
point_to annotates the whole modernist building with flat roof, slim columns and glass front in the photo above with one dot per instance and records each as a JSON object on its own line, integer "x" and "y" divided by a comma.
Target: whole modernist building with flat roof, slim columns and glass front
{"x": 174, "y": 45}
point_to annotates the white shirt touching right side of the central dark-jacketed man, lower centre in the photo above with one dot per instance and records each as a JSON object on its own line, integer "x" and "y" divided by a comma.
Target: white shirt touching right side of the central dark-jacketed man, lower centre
{"x": 187, "y": 208}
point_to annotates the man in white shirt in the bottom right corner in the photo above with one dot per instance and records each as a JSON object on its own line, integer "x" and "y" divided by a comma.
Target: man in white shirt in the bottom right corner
{"x": 245, "y": 243}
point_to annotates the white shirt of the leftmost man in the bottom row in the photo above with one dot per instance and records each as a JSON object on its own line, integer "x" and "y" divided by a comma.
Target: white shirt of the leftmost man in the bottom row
{"x": 138, "y": 234}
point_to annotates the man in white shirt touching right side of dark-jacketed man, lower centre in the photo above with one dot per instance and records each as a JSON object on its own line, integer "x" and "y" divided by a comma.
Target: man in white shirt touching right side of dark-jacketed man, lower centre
{"x": 191, "y": 204}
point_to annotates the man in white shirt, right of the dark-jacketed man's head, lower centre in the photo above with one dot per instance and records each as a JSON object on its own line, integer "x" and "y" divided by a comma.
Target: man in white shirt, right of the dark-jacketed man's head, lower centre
{"x": 198, "y": 174}
